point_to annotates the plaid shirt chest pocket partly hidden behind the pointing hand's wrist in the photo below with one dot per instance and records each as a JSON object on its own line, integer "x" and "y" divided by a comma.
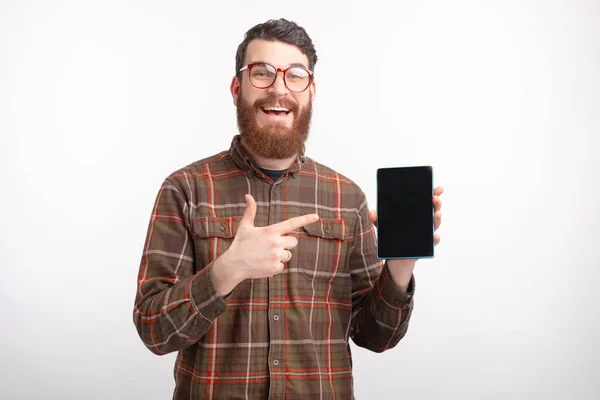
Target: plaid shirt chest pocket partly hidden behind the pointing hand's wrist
{"x": 212, "y": 237}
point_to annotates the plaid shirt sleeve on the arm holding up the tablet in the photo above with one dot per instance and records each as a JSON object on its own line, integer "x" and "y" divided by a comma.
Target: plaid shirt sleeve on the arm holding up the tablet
{"x": 380, "y": 309}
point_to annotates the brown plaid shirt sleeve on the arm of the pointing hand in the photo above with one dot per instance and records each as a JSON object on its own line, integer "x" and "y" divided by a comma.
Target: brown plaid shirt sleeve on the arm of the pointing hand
{"x": 176, "y": 301}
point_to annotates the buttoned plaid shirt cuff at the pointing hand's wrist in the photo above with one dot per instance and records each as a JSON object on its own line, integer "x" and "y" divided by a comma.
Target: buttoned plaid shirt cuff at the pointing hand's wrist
{"x": 207, "y": 302}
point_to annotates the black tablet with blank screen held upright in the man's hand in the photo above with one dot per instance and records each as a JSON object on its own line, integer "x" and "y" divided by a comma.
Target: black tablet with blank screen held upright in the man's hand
{"x": 405, "y": 212}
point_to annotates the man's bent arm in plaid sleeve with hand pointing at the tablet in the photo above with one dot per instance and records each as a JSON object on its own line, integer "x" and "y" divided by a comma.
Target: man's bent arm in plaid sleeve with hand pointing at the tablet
{"x": 177, "y": 301}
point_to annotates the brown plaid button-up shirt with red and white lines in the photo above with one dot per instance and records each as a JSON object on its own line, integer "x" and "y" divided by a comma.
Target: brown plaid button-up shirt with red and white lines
{"x": 284, "y": 337}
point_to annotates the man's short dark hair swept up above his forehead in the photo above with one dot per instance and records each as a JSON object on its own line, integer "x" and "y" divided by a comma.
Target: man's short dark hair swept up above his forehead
{"x": 283, "y": 31}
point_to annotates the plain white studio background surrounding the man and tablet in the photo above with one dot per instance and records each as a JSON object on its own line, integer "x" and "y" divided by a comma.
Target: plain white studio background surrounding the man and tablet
{"x": 100, "y": 101}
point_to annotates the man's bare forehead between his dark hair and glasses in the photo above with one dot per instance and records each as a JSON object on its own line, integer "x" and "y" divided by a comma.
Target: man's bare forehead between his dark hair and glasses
{"x": 277, "y": 53}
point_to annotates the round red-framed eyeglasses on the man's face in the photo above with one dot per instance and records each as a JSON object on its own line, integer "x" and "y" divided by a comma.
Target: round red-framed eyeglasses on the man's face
{"x": 263, "y": 75}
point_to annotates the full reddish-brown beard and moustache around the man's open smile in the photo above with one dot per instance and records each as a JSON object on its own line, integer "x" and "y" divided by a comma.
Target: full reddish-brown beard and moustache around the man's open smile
{"x": 274, "y": 141}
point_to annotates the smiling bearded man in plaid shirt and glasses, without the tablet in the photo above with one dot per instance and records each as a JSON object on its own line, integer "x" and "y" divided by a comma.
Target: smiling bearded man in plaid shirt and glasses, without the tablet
{"x": 260, "y": 263}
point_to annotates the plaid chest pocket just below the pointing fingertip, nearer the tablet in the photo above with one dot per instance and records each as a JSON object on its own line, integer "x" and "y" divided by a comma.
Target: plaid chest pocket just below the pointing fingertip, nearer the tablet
{"x": 323, "y": 250}
